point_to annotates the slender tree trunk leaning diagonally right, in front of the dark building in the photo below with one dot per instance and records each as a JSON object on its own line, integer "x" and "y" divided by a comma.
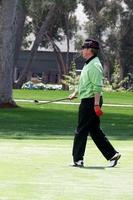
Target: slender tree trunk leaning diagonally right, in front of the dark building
{"x": 43, "y": 30}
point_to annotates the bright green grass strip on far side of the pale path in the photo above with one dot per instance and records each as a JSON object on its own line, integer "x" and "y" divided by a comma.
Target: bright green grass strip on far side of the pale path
{"x": 109, "y": 97}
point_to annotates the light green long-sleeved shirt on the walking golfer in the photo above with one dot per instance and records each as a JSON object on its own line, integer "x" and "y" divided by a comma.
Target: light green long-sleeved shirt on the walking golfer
{"x": 91, "y": 79}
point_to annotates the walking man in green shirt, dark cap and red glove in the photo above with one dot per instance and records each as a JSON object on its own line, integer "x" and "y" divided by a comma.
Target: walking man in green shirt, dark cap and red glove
{"x": 90, "y": 93}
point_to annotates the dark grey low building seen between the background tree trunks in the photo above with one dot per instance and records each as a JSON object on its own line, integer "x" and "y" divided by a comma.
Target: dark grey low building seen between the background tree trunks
{"x": 45, "y": 65}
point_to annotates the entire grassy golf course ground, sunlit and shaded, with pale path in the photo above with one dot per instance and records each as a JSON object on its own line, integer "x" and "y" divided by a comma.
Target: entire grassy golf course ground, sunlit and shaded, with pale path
{"x": 36, "y": 143}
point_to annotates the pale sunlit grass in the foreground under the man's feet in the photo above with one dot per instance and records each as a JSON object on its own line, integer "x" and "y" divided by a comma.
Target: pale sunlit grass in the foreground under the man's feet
{"x": 38, "y": 170}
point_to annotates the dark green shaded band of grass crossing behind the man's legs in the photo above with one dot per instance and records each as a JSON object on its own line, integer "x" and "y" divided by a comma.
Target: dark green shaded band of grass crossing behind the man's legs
{"x": 57, "y": 121}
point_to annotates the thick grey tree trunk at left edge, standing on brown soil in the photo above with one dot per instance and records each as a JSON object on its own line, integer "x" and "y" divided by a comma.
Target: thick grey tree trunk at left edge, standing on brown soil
{"x": 8, "y": 25}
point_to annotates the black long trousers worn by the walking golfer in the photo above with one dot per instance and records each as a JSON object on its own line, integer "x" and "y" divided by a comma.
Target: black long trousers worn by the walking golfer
{"x": 89, "y": 123}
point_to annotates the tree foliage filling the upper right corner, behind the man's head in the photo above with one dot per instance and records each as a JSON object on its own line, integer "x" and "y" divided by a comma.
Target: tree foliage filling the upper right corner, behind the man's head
{"x": 111, "y": 22}
